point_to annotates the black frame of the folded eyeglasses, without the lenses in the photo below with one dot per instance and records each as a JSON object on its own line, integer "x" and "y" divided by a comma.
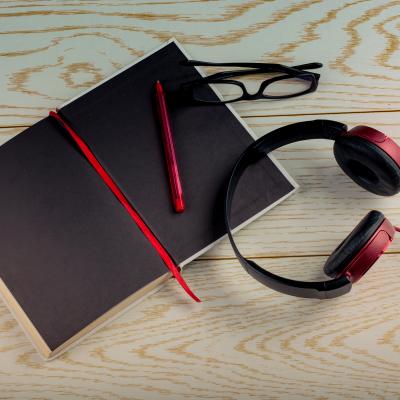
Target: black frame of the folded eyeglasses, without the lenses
{"x": 298, "y": 71}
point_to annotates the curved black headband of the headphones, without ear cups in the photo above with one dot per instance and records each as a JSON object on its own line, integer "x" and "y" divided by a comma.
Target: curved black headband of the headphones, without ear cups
{"x": 317, "y": 129}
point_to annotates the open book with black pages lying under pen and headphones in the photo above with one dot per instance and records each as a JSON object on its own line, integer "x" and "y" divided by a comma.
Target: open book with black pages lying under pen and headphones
{"x": 72, "y": 258}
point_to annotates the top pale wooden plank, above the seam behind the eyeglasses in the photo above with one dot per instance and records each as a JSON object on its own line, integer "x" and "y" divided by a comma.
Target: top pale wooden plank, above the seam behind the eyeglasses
{"x": 72, "y": 45}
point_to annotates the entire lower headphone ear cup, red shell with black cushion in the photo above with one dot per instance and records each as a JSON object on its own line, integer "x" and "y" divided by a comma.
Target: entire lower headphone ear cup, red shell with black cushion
{"x": 362, "y": 247}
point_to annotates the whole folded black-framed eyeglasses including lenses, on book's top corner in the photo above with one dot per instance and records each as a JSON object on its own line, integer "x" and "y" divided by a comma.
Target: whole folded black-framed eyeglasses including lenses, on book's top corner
{"x": 294, "y": 81}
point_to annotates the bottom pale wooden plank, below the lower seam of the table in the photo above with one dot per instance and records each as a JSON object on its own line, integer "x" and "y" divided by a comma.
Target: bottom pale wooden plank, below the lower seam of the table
{"x": 243, "y": 342}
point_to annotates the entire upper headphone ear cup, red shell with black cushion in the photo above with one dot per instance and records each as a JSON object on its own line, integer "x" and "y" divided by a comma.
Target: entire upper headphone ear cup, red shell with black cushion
{"x": 371, "y": 159}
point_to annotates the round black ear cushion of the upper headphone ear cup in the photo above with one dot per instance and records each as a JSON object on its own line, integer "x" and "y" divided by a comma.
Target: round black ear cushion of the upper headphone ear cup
{"x": 368, "y": 165}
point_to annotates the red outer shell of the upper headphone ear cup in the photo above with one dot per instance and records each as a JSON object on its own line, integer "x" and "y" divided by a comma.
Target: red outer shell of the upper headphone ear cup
{"x": 378, "y": 138}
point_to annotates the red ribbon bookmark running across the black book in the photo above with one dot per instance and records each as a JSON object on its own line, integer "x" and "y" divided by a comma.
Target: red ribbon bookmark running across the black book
{"x": 175, "y": 270}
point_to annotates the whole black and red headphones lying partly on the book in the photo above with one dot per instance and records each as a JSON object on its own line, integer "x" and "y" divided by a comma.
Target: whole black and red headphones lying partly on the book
{"x": 367, "y": 156}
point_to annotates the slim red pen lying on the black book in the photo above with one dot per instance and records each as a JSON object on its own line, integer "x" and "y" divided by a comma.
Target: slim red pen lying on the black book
{"x": 169, "y": 150}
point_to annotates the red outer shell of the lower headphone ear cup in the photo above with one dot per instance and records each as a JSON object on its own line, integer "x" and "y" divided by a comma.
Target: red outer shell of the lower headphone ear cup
{"x": 370, "y": 253}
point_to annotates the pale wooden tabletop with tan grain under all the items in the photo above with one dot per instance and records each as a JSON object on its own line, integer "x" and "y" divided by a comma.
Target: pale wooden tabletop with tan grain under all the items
{"x": 244, "y": 341}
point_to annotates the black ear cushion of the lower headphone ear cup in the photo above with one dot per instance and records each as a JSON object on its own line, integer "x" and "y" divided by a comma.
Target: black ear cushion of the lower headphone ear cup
{"x": 354, "y": 242}
